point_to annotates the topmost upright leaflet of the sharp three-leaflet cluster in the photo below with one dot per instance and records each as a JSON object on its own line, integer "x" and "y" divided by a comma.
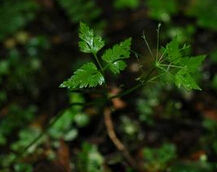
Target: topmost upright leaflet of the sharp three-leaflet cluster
{"x": 90, "y": 42}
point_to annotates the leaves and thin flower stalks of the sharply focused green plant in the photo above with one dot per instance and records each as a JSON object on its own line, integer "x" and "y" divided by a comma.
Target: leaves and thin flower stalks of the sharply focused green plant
{"x": 173, "y": 65}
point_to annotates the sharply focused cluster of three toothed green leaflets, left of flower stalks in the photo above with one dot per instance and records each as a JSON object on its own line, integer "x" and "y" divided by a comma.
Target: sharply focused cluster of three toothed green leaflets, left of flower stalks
{"x": 90, "y": 74}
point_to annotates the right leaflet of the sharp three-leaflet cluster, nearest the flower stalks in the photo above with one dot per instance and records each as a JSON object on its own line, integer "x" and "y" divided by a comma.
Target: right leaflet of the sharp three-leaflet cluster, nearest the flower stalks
{"x": 115, "y": 57}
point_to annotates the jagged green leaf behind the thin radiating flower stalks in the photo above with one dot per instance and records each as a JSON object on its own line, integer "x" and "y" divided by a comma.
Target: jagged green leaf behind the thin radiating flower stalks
{"x": 179, "y": 69}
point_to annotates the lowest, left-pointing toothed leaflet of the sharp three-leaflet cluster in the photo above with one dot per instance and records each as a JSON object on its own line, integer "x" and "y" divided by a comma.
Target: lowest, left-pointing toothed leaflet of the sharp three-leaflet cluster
{"x": 86, "y": 76}
